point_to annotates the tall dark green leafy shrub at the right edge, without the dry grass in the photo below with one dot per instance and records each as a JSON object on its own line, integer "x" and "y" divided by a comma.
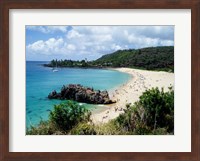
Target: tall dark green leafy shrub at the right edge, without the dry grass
{"x": 159, "y": 108}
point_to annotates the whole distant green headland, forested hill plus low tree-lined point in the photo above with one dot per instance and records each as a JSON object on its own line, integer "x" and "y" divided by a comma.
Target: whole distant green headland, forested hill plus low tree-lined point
{"x": 151, "y": 58}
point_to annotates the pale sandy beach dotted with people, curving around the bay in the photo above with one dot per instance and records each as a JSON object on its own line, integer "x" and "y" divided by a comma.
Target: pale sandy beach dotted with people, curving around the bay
{"x": 130, "y": 92}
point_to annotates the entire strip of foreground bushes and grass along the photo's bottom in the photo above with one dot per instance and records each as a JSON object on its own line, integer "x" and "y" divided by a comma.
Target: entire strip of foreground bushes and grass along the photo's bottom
{"x": 153, "y": 114}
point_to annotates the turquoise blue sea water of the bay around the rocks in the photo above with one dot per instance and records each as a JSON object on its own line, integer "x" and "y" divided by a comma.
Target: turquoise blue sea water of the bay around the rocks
{"x": 40, "y": 81}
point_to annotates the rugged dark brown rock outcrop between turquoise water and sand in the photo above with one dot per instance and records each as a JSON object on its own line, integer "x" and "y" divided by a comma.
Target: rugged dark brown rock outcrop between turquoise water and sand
{"x": 79, "y": 93}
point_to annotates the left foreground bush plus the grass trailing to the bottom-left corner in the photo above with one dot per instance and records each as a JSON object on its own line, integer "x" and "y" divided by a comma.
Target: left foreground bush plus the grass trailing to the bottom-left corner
{"x": 62, "y": 119}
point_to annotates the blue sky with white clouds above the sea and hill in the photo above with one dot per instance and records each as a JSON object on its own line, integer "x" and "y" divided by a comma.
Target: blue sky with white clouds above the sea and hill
{"x": 44, "y": 43}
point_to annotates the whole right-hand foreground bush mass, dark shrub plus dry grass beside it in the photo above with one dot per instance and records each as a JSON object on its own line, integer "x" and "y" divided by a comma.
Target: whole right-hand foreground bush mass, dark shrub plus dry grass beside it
{"x": 152, "y": 114}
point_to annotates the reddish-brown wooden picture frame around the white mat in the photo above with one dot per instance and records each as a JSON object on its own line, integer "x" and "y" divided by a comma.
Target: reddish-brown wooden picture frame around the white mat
{"x": 194, "y": 5}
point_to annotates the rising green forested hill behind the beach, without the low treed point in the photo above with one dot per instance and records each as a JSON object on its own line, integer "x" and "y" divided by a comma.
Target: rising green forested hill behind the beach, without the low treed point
{"x": 151, "y": 58}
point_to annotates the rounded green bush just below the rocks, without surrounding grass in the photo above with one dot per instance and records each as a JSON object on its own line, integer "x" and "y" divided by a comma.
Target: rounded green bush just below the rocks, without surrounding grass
{"x": 66, "y": 116}
